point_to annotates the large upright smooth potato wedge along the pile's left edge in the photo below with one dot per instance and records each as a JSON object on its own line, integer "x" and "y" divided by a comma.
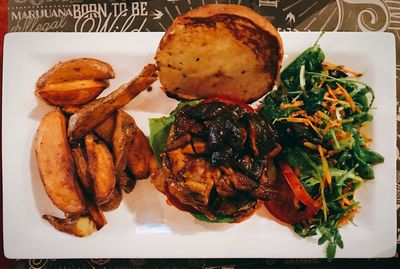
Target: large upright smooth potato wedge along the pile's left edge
{"x": 56, "y": 164}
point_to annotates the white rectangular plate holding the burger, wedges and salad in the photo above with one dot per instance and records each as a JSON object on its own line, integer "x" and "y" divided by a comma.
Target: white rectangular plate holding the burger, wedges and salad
{"x": 144, "y": 225}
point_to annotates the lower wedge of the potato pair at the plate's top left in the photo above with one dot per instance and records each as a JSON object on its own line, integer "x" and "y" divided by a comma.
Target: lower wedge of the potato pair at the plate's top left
{"x": 76, "y": 92}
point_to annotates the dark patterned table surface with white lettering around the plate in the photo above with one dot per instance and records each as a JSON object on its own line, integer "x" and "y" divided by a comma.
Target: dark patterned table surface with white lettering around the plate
{"x": 157, "y": 15}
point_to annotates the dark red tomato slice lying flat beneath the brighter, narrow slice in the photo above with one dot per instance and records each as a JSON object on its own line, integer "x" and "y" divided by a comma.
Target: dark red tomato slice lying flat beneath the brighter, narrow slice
{"x": 282, "y": 205}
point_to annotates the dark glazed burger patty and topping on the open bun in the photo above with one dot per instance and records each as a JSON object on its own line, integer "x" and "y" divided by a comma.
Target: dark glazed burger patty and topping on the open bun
{"x": 217, "y": 157}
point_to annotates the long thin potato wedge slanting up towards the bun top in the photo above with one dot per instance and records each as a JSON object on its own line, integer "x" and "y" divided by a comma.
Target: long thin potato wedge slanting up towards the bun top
{"x": 100, "y": 109}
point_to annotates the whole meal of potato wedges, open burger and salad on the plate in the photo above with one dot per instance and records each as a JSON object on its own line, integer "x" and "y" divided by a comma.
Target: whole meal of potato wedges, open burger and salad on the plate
{"x": 301, "y": 151}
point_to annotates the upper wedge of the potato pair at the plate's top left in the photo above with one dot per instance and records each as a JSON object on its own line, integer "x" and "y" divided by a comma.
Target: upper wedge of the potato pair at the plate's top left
{"x": 77, "y": 69}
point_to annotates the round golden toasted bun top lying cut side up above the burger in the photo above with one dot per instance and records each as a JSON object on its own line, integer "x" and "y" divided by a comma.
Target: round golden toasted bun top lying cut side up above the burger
{"x": 219, "y": 50}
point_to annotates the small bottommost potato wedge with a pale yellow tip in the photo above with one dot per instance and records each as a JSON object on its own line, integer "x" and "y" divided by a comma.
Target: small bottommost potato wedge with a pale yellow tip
{"x": 81, "y": 226}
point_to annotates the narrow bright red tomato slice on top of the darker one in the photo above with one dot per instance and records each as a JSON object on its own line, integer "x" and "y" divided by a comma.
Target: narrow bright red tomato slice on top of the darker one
{"x": 295, "y": 184}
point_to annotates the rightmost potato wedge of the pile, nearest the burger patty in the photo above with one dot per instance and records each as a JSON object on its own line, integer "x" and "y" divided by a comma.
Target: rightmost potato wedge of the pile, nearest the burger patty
{"x": 139, "y": 156}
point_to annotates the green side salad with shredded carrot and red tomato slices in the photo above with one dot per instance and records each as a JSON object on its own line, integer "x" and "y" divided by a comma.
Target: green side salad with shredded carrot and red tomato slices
{"x": 320, "y": 111}
